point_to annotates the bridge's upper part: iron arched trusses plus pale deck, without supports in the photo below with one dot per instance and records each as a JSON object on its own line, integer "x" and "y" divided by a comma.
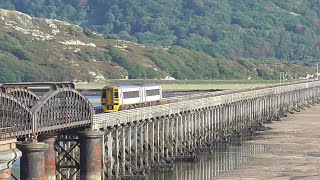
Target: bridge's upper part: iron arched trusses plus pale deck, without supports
{"x": 24, "y": 113}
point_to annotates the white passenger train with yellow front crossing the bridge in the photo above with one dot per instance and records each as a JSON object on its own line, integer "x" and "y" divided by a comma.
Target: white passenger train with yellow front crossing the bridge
{"x": 120, "y": 97}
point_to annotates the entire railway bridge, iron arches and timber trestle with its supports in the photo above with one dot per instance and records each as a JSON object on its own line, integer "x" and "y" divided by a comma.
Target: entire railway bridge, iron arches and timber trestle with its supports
{"x": 58, "y": 136}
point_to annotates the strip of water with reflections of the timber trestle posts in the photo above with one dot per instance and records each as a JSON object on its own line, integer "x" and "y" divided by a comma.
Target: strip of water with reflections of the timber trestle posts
{"x": 211, "y": 165}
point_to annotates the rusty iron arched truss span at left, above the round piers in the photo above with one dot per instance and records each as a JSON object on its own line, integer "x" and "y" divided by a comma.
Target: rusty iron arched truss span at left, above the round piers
{"x": 24, "y": 114}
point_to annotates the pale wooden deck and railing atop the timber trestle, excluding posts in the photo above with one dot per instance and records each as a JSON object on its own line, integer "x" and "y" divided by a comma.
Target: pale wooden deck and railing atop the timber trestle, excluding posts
{"x": 105, "y": 120}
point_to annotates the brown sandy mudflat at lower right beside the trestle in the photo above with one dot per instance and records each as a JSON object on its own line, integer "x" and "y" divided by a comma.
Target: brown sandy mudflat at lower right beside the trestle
{"x": 294, "y": 154}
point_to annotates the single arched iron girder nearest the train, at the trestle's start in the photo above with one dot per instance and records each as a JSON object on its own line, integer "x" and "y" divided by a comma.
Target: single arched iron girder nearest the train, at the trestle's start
{"x": 61, "y": 109}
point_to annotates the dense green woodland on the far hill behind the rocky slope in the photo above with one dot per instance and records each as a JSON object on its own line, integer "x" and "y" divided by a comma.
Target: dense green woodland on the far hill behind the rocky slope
{"x": 261, "y": 29}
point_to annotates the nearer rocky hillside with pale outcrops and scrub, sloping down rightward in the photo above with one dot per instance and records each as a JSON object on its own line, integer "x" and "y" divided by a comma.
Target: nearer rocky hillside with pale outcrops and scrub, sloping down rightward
{"x": 38, "y": 49}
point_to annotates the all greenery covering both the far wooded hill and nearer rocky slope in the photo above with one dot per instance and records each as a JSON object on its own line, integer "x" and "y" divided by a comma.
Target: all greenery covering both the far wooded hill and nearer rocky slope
{"x": 184, "y": 39}
